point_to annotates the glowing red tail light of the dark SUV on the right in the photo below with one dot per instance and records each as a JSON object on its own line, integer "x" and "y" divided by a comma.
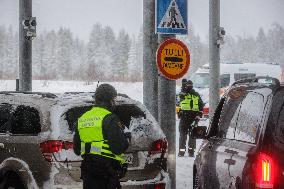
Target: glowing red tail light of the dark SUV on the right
{"x": 265, "y": 169}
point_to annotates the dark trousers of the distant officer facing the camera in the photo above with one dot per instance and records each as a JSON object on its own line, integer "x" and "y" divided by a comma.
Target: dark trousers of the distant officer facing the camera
{"x": 185, "y": 129}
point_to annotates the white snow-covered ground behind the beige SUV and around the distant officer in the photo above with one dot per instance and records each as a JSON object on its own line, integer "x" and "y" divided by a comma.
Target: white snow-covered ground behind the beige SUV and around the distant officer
{"x": 134, "y": 91}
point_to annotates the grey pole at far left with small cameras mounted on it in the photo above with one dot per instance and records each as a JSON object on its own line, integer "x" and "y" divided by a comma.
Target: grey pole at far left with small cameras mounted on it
{"x": 25, "y": 47}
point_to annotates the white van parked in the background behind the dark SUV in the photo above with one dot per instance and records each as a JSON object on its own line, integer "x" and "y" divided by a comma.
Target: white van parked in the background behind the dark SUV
{"x": 229, "y": 73}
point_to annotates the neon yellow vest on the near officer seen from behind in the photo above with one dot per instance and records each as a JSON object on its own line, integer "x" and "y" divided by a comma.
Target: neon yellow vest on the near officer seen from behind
{"x": 90, "y": 131}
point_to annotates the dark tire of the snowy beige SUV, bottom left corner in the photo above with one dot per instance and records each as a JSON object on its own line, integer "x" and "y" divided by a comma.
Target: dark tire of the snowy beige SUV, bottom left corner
{"x": 11, "y": 181}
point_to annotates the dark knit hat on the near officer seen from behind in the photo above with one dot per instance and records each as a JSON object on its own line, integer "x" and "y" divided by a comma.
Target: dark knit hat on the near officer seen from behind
{"x": 105, "y": 92}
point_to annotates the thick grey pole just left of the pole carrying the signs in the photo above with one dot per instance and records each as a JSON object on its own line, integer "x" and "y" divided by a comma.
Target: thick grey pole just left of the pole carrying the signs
{"x": 150, "y": 71}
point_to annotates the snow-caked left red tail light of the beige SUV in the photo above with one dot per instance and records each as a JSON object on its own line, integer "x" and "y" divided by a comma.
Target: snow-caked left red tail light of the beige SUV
{"x": 59, "y": 151}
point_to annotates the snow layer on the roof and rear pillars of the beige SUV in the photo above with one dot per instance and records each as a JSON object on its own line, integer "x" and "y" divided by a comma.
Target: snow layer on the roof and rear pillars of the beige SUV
{"x": 54, "y": 106}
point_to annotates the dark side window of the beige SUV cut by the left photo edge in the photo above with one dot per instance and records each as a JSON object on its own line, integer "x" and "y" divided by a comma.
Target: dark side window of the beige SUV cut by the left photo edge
{"x": 6, "y": 111}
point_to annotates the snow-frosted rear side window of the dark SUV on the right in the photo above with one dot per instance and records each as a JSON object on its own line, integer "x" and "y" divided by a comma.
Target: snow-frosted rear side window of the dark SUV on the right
{"x": 249, "y": 118}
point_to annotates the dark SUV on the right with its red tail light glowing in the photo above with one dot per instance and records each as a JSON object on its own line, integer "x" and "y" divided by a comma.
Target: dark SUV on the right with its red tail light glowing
{"x": 244, "y": 145}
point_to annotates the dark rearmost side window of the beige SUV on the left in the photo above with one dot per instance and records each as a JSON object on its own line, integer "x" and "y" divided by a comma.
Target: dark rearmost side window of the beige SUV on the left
{"x": 25, "y": 120}
